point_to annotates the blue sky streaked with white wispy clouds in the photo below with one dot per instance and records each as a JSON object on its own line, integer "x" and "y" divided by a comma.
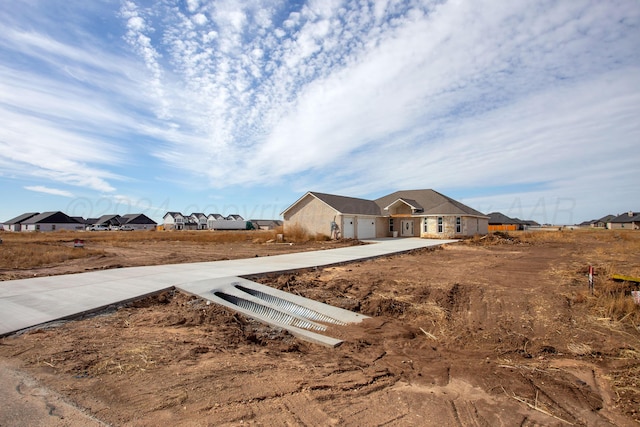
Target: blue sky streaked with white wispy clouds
{"x": 531, "y": 108}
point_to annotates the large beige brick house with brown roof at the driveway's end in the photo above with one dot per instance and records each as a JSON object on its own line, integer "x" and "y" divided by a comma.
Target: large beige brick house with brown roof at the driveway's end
{"x": 424, "y": 213}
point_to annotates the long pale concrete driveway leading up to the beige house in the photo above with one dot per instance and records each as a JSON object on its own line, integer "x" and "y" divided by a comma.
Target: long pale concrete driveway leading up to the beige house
{"x": 29, "y": 302}
